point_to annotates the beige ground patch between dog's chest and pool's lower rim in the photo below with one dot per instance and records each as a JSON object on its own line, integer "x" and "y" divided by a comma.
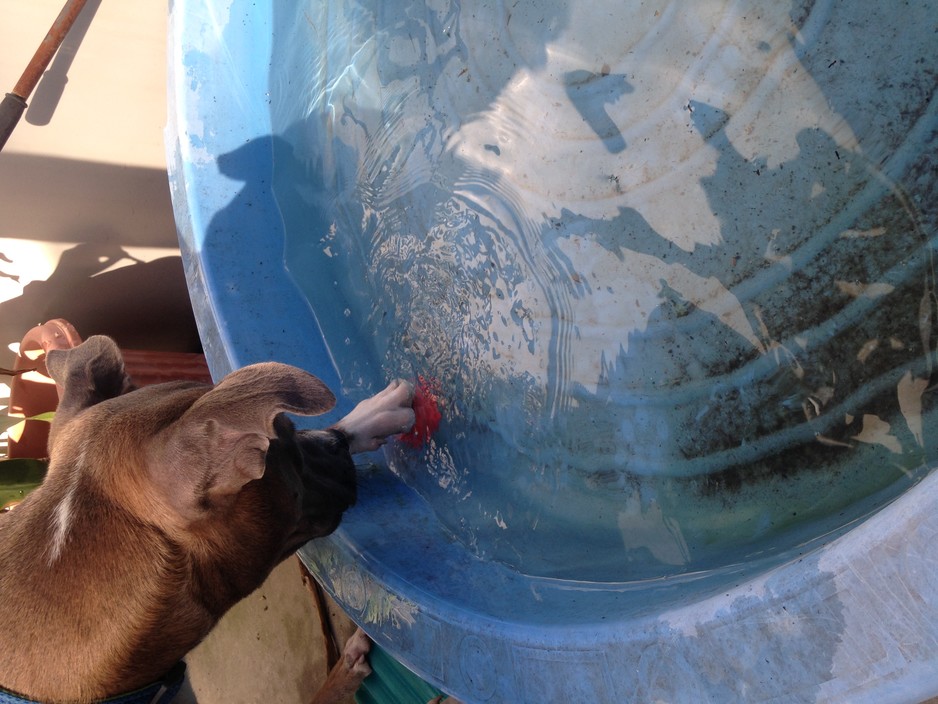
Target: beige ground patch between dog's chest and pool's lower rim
{"x": 269, "y": 648}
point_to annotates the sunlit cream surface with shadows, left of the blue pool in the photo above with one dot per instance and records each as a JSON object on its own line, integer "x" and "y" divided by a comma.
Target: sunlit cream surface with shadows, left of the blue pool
{"x": 91, "y": 184}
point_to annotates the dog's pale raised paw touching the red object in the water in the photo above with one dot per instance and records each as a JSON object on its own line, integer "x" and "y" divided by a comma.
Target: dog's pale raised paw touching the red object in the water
{"x": 372, "y": 421}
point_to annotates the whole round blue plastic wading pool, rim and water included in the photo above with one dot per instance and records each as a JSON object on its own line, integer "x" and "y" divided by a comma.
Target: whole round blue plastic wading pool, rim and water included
{"x": 671, "y": 267}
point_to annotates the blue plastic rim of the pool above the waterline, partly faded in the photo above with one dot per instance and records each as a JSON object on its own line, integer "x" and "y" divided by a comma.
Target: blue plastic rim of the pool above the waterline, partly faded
{"x": 853, "y": 620}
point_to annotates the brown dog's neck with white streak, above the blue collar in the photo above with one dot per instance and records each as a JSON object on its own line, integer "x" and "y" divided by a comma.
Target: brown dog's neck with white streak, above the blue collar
{"x": 109, "y": 594}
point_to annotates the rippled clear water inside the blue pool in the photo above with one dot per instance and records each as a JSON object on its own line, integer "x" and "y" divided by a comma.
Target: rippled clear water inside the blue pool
{"x": 665, "y": 262}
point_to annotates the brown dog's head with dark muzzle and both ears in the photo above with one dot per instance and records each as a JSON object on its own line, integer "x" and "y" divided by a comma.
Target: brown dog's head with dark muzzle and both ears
{"x": 191, "y": 458}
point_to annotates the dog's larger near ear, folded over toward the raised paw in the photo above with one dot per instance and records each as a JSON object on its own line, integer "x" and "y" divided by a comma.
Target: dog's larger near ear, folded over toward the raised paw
{"x": 227, "y": 431}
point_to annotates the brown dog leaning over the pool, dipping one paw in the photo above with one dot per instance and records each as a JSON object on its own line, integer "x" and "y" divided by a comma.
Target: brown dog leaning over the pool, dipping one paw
{"x": 162, "y": 507}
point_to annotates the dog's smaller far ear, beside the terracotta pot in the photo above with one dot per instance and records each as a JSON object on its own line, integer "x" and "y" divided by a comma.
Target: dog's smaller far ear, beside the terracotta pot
{"x": 87, "y": 374}
